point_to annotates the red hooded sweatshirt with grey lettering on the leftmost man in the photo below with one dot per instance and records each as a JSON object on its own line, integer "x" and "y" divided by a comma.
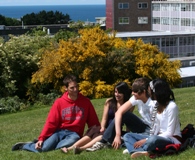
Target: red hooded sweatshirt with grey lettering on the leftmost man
{"x": 71, "y": 115}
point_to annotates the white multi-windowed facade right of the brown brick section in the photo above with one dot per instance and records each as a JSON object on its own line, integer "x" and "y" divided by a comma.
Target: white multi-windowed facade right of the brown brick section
{"x": 173, "y": 15}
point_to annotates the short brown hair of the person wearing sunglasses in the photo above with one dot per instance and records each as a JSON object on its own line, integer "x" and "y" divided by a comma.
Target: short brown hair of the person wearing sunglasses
{"x": 141, "y": 84}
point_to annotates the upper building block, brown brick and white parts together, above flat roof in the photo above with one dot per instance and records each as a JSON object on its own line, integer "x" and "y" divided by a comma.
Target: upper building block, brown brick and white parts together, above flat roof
{"x": 148, "y": 15}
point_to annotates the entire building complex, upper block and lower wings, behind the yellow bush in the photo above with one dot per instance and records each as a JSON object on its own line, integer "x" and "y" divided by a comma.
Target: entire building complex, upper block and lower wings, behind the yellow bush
{"x": 169, "y": 24}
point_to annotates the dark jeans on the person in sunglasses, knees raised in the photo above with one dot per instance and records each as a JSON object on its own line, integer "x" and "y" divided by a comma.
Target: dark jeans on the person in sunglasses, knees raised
{"x": 133, "y": 123}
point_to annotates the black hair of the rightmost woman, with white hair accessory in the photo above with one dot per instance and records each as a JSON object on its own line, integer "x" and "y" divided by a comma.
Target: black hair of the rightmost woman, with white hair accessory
{"x": 162, "y": 91}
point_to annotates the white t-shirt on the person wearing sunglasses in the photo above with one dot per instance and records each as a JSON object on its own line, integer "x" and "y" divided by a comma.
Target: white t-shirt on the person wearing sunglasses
{"x": 144, "y": 109}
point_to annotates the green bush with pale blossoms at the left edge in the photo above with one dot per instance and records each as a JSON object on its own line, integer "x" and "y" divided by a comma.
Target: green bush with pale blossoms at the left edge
{"x": 19, "y": 59}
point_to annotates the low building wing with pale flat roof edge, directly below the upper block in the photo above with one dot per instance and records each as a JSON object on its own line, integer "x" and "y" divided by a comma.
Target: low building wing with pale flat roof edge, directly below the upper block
{"x": 176, "y": 44}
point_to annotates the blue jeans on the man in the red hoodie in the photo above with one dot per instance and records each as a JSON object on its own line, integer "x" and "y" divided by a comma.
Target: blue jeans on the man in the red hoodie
{"x": 61, "y": 138}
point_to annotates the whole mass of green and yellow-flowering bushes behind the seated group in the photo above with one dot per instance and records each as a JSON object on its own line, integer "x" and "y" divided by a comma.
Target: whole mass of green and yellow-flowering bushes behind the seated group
{"x": 36, "y": 63}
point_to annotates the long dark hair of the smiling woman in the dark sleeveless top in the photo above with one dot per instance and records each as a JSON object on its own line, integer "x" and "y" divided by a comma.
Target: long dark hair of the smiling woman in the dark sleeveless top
{"x": 122, "y": 87}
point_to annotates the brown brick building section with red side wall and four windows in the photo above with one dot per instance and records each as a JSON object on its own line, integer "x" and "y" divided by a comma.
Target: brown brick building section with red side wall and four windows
{"x": 128, "y": 15}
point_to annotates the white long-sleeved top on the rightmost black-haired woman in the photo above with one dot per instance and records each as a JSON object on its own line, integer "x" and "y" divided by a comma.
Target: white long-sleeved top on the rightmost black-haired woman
{"x": 168, "y": 122}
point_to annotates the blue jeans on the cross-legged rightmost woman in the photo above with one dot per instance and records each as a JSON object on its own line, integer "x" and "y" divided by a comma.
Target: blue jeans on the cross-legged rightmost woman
{"x": 150, "y": 145}
